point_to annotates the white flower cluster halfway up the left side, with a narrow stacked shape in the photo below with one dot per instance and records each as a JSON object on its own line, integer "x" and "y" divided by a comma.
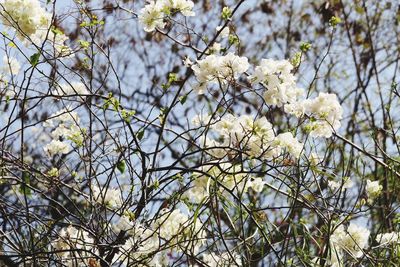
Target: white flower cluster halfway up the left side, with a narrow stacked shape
{"x": 66, "y": 127}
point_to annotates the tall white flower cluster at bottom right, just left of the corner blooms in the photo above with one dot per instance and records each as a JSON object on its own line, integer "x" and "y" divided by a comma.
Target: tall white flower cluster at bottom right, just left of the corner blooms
{"x": 352, "y": 241}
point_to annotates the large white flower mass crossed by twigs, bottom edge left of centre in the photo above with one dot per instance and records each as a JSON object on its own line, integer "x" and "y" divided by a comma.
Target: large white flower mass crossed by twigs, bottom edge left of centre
{"x": 172, "y": 227}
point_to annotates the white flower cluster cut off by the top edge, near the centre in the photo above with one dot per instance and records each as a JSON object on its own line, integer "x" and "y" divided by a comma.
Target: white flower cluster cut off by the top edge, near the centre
{"x": 153, "y": 14}
